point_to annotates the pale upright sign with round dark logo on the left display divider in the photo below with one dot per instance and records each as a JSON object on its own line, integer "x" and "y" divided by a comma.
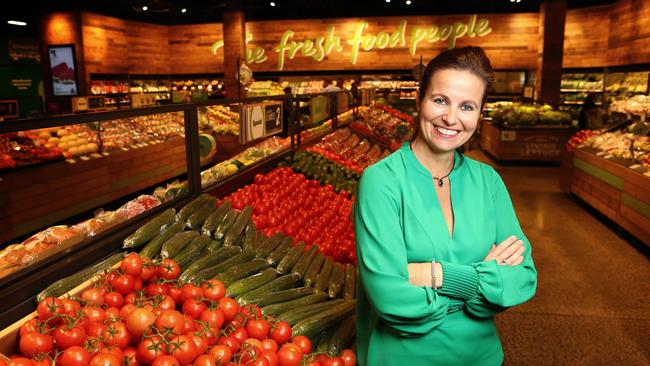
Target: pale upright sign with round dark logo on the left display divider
{"x": 260, "y": 120}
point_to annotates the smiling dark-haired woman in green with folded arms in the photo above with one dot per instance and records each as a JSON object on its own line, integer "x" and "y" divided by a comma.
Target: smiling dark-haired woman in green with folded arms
{"x": 426, "y": 207}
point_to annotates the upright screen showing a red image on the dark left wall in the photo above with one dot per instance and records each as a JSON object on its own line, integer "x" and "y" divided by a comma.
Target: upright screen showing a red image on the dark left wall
{"x": 63, "y": 70}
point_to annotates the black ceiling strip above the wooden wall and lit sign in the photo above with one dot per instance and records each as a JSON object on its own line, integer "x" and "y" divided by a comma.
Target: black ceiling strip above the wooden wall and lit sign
{"x": 209, "y": 11}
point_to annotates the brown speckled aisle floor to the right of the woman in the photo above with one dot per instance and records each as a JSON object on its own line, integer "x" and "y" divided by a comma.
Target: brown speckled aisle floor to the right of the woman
{"x": 592, "y": 305}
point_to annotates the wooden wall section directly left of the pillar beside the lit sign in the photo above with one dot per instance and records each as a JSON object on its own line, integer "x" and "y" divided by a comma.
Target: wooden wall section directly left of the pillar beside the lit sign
{"x": 190, "y": 48}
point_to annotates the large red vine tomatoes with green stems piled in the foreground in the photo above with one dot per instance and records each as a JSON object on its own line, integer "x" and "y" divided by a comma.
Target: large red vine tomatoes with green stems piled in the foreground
{"x": 140, "y": 314}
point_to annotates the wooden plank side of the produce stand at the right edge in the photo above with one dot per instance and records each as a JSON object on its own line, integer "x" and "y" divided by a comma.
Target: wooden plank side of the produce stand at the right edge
{"x": 618, "y": 192}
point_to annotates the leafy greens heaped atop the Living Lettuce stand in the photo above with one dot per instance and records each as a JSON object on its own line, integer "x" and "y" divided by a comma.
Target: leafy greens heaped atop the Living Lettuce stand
{"x": 517, "y": 114}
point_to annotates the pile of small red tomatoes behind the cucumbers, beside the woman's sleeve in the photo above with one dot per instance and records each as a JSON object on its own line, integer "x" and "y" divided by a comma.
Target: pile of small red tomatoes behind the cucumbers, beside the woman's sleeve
{"x": 288, "y": 202}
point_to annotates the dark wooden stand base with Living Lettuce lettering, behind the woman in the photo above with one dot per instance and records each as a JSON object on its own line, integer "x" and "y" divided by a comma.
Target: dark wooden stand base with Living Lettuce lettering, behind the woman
{"x": 539, "y": 143}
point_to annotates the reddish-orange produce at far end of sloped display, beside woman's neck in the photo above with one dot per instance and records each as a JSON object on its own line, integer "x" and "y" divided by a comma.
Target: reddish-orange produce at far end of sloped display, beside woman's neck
{"x": 385, "y": 124}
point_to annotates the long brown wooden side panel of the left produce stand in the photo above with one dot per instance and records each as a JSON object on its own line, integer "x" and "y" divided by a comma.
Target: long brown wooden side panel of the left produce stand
{"x": 46, "y": 194}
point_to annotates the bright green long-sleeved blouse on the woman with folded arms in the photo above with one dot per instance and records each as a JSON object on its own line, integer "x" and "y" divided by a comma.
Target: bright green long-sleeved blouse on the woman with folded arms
{"x": 398, "y": 220}
